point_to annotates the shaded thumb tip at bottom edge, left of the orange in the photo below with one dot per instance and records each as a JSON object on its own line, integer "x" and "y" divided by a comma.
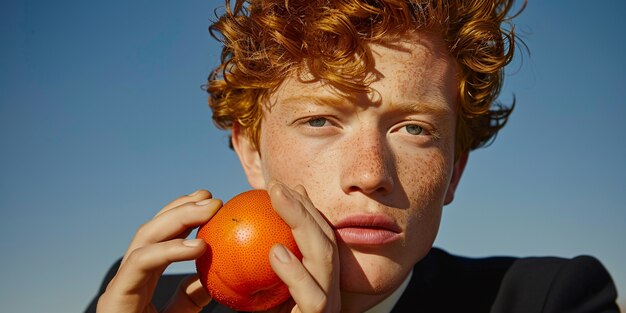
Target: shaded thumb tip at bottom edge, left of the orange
{"x": 189, "y": 298}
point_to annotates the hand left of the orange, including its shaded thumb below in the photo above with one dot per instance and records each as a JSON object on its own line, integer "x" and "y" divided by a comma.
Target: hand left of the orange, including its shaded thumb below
{"x": 157, "y": 244}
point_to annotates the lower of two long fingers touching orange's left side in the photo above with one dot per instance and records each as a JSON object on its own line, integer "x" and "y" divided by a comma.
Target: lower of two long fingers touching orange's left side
{"x": 147, "y": 262}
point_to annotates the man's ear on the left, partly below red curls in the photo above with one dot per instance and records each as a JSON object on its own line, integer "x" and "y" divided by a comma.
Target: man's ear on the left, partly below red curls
{"x": 249, "y": 157}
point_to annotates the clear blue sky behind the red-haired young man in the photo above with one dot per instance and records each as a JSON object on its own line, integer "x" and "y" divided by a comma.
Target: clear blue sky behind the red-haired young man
{"x": 103, "y": 121}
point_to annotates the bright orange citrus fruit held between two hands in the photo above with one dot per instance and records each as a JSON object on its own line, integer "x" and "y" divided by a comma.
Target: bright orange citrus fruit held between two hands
{"x": 235, "y": 268}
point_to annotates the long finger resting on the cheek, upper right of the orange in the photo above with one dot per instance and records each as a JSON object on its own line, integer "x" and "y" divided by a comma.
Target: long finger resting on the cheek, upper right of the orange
{"x": 318, "y": 250}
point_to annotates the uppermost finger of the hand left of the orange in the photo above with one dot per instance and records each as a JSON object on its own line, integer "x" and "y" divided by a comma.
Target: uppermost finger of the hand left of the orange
{"x": 175, "y": 222}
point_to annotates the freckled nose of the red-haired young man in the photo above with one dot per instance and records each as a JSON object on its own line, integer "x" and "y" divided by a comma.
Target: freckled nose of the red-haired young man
{"x": 367, "y": 165}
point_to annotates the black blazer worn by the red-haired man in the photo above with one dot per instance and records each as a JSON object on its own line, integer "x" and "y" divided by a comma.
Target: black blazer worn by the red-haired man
{"x": 446, "y": 283}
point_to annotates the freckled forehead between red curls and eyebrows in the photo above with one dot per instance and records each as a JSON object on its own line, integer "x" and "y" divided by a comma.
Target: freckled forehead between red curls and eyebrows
{"x": 413, "y": 67}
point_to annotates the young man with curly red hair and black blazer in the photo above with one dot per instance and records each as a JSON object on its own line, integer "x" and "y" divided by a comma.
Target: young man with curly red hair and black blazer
{"x": 358, "y": 117}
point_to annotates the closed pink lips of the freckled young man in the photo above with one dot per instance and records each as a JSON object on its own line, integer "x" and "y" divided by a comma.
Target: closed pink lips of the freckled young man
{"x": 367, "y": 230}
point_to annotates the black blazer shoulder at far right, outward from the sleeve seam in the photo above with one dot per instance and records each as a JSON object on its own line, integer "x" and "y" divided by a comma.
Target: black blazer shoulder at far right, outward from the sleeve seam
{"x": 550, "y": 284}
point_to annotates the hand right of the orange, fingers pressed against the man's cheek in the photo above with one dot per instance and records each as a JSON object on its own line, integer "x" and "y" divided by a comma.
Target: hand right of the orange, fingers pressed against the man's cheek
{"x": 314, "y": 282}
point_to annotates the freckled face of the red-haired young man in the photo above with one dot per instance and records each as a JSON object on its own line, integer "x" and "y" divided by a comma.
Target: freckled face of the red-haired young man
{"x": 387, "y": 155}
